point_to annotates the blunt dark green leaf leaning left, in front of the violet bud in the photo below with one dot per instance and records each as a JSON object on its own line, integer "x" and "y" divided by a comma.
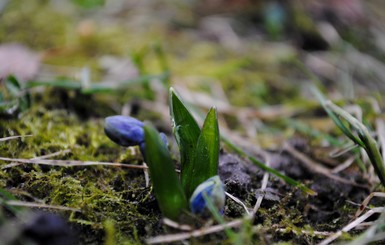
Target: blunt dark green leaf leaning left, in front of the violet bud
{"x": 168, "y": 190}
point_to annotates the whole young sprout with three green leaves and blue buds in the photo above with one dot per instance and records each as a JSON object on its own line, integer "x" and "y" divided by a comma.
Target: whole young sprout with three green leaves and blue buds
{"x": 199, "y": 151}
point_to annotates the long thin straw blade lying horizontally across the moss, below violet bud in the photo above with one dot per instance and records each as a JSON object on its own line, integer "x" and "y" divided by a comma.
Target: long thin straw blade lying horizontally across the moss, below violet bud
{"x": 70, "y": 163}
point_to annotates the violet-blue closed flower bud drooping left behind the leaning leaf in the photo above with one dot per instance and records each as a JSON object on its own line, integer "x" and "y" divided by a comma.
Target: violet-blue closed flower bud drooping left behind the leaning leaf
{"x": 127, "y": 131}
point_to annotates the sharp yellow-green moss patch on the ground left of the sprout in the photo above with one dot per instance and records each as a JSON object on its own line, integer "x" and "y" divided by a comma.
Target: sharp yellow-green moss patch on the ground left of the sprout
{"x": 100, "y": 193}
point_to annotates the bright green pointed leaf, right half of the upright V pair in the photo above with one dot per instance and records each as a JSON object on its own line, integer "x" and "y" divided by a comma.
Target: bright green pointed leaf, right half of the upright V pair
{"x": 205, "y": 160}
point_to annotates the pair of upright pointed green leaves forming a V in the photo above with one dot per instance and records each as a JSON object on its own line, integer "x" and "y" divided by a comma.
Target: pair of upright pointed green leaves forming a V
{"x": 199, "y": 149}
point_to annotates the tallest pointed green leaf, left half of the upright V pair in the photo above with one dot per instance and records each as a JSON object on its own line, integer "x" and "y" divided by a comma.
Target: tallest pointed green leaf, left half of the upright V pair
{"x": 186, "y": 131}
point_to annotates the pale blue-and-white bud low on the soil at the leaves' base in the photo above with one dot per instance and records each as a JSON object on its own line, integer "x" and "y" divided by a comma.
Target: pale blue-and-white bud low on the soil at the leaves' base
{"x": 214, "y": 190}
